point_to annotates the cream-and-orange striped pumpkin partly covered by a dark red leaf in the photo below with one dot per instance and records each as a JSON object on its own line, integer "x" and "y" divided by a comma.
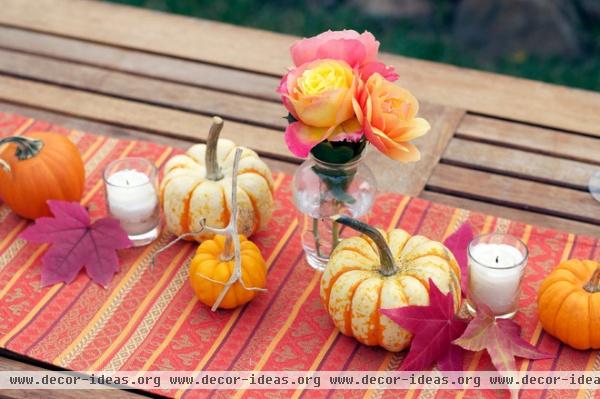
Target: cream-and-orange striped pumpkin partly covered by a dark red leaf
{"x": 381, "y": 270}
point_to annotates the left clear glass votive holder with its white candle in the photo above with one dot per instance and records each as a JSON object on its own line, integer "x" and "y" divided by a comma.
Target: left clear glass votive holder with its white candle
{"x": 131, "y": 192}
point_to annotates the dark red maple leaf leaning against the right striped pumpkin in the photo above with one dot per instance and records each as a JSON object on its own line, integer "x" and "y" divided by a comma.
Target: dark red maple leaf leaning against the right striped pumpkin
{"x": 434, "y": 327}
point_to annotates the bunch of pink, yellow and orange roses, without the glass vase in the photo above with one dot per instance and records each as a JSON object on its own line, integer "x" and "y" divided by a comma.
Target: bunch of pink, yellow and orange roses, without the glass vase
{"x": 338, "y": 94}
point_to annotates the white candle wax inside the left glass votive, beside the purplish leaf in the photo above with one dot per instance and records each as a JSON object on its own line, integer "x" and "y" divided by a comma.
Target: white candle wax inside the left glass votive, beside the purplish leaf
{"x": 133, "y": 200}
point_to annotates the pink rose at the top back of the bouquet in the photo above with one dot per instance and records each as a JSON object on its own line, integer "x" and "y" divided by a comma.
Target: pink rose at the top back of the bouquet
{"x": 357, "y": 50}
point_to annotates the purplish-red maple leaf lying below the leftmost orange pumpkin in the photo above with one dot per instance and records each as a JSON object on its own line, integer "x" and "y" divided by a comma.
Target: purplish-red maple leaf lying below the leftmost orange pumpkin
{"x": 77, "y": 243}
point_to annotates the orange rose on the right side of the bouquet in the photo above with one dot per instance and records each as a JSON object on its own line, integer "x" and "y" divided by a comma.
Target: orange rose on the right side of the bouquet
{"x": 387, "y": 115}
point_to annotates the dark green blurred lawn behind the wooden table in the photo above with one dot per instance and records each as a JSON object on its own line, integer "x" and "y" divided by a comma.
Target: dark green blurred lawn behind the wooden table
{"x": 431, "y": 40}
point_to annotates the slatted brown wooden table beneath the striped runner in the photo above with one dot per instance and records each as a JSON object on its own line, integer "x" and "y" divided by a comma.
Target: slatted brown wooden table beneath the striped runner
{"x": 515, "y": 148}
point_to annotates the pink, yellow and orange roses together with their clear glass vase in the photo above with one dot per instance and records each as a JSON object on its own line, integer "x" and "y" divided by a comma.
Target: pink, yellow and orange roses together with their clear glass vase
{"x": 339, "y": 98}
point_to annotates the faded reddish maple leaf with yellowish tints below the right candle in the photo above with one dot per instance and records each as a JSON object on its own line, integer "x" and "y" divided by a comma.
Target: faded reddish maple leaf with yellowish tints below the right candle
{"x": 500, "y": 337}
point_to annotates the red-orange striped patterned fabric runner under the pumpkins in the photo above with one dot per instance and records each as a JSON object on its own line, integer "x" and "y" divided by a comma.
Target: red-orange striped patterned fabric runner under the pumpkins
{"x": 149, "y": 319}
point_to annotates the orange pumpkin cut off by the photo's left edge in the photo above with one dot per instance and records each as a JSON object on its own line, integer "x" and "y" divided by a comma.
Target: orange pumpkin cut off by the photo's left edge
{"x": 38, "y": 167}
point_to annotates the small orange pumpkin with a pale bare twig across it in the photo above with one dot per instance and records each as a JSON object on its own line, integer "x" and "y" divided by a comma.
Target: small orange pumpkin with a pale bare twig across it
{"x": 212, "y": 267}
